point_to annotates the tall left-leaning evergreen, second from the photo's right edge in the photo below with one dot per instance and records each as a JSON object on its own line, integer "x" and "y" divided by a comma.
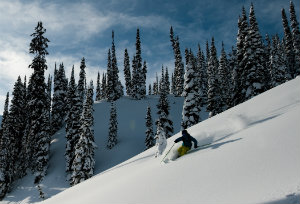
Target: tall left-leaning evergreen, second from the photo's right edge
{"x": 289, "y": 48}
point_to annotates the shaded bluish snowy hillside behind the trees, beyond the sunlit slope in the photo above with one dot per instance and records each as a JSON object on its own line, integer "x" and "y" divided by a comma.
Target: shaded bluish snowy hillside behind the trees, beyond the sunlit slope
{"x": 131, "y": 118}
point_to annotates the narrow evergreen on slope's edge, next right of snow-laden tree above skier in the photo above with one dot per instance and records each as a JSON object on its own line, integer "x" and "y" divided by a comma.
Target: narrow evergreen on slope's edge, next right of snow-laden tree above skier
{"x": 213, "y": 94}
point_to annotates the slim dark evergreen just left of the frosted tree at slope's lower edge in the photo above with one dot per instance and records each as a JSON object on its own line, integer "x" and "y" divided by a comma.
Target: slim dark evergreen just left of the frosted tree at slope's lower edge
{"x": 73, "y": 123}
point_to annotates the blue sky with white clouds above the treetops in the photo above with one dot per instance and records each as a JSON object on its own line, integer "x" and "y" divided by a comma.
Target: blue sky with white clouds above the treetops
{"x": 79, "y": 29}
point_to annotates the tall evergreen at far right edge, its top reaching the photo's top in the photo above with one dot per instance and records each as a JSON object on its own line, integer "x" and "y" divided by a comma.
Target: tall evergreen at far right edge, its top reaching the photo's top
{"x": 296, "y": 37}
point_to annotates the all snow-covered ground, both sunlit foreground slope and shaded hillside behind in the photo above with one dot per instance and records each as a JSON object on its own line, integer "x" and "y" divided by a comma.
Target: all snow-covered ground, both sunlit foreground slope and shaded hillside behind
{"x": 252, "y": 157}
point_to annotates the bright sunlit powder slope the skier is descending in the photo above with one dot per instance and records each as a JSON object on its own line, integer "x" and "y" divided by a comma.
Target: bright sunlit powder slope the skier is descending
{"x": 253, "y": 158}
